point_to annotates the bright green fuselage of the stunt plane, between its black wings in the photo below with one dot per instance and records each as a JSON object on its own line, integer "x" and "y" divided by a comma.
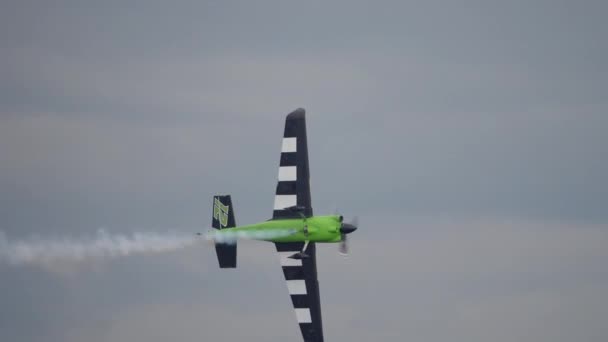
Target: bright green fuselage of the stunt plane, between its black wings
{"x": 313, "y": 229}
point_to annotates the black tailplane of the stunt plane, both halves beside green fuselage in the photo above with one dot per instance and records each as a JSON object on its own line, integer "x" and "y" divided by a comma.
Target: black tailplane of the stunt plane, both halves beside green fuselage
{"x": 223, "y": 217}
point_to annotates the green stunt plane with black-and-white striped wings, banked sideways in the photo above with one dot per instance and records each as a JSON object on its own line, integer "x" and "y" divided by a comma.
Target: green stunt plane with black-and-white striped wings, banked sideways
{"x": 293, "y": 228}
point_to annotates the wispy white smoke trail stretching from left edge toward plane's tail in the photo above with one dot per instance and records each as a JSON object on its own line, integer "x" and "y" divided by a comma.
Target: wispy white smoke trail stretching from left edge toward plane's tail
{"x": 103, "y": 245}
